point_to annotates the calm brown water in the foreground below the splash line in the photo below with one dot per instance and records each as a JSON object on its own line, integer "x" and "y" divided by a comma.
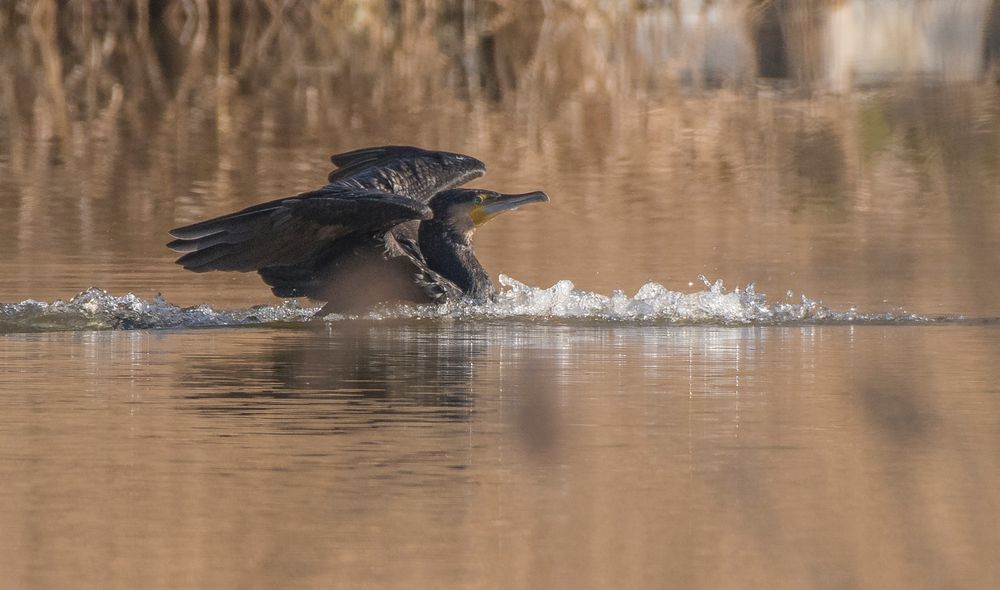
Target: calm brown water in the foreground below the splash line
{"x": 451, "y": 454}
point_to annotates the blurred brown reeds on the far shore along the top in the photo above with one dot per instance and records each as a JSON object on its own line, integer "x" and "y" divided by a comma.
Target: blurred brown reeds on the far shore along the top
{"x": 71, "y": 62}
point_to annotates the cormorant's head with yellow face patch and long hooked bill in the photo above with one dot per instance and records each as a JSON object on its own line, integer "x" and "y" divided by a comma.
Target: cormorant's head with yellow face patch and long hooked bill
{"x": 465, "y": 209}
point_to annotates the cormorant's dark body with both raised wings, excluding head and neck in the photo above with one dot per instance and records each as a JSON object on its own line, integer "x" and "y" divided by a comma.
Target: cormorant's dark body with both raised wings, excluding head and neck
{"x": 339, "y": 243}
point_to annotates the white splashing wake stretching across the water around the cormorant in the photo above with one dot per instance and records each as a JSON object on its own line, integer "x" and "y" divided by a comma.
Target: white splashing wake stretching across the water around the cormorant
{"x": 96, "y": 309}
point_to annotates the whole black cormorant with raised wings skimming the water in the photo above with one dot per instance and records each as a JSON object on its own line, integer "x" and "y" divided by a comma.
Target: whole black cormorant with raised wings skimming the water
{"x": 389, "y": 226}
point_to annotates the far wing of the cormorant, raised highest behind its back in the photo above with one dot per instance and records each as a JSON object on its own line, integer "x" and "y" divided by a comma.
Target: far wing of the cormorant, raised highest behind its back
{"x": 404, "y": 170}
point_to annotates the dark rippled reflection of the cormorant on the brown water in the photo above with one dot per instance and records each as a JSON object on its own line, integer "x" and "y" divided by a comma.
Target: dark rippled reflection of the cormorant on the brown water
{"x": 344, "y": 376}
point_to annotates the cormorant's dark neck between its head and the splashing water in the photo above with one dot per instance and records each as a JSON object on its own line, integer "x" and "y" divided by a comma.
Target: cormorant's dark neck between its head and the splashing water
{"x": 448, "y": 252}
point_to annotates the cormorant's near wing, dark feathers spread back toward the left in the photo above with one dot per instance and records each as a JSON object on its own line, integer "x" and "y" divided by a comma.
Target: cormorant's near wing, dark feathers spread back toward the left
{"x": 290, "y": 231}
